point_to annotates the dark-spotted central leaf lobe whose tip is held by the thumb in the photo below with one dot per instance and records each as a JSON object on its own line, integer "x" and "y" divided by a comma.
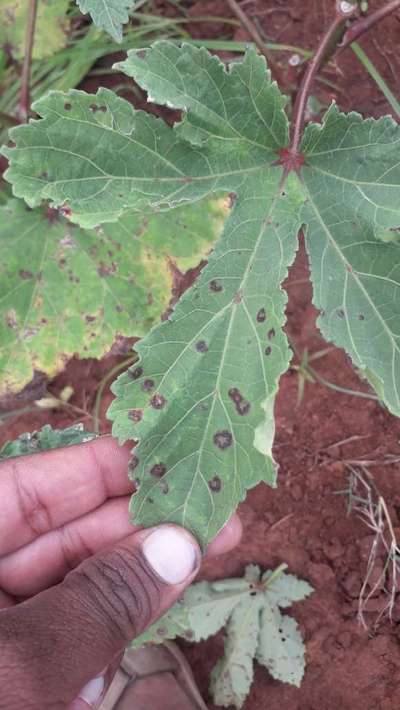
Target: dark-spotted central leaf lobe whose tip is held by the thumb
{"x": 201, "y": 400}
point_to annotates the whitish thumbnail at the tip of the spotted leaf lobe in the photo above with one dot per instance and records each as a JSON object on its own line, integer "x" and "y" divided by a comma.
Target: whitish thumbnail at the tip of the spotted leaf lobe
{"x": 172, "y": 553}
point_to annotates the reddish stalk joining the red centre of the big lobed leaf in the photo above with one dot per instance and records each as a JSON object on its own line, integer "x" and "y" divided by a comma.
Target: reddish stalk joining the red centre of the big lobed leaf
{"x": 315, "y": 63}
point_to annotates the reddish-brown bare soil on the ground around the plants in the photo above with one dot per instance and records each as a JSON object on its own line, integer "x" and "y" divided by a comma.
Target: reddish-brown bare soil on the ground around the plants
{"x": 305, "y": 522}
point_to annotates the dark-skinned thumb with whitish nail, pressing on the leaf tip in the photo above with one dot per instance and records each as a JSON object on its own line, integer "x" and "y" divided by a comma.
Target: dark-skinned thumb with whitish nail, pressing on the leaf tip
{"x": 55, "y": 643}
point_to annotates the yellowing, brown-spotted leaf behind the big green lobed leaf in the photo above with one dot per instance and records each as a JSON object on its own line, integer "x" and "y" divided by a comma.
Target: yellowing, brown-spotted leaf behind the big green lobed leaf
{"x": 115, "y": 281}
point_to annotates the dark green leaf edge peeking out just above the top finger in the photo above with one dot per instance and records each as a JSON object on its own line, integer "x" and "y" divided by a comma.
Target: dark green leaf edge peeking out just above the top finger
{"x": 45, "y": 439}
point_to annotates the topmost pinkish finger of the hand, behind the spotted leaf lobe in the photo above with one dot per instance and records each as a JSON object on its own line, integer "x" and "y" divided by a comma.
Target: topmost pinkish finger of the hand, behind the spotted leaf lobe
{"x": 41, "y": 492}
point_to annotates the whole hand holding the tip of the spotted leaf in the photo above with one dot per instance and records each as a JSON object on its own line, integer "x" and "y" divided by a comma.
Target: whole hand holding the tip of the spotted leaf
{"x": 64, "y": 516}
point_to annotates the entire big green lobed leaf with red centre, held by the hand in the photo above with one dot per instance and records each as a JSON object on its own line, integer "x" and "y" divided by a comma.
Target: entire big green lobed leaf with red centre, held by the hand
{"x": 200, "y": 402}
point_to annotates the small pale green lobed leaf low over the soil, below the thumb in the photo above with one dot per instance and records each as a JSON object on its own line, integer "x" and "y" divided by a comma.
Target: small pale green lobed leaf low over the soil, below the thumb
{"x": 250, "y": 610}
